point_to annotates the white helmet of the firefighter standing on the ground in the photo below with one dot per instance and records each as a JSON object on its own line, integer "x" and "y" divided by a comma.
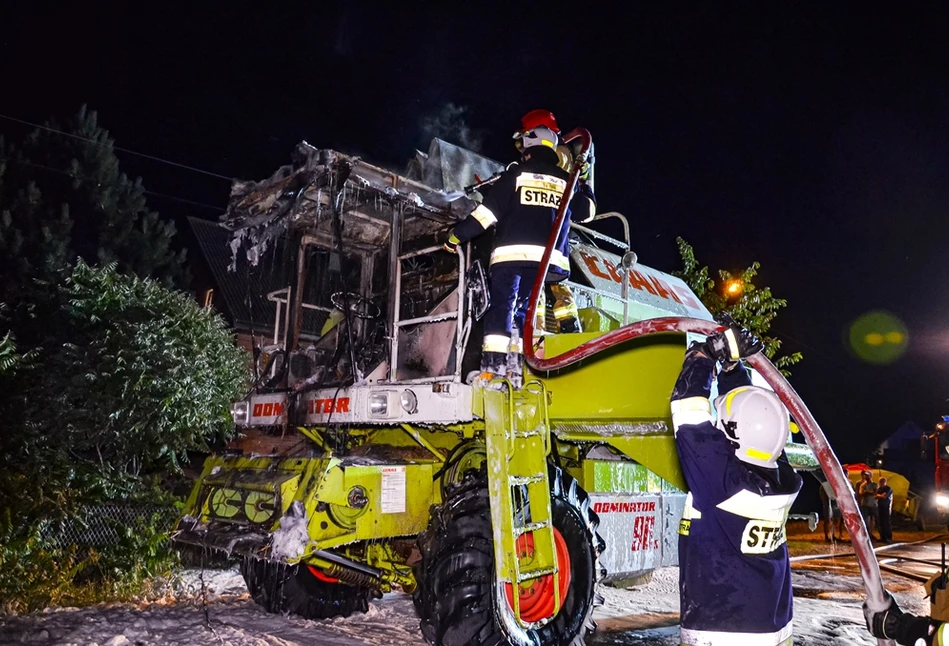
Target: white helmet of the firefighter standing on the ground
{"x": 756, "y": 420}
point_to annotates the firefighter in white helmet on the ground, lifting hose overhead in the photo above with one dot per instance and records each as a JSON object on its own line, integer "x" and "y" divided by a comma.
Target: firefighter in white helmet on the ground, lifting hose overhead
{"x": 734, "y": 572}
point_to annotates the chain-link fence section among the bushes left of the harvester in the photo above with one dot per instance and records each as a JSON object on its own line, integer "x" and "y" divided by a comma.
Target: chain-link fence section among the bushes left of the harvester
{"x": 98, "y": 525}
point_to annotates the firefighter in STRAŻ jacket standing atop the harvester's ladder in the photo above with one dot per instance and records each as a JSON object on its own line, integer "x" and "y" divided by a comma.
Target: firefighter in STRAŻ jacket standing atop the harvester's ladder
{"x": 522, "y": 204}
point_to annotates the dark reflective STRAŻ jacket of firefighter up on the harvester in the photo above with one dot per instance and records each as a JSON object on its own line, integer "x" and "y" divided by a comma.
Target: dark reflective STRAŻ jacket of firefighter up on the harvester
{"x": 523, "y": 203}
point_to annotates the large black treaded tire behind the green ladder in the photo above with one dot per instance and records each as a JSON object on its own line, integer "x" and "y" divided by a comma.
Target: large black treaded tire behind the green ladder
{"x": 458, "y": 599}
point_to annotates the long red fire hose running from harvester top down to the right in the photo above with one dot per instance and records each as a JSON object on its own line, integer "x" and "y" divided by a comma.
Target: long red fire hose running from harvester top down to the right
{"x": 830, "y": 465}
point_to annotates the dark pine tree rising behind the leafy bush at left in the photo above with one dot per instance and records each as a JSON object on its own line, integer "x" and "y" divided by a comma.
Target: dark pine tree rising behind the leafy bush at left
{"x": 63, "y": 197}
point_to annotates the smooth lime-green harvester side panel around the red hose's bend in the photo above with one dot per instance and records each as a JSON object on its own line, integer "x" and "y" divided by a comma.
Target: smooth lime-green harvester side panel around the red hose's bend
{"x": 631, "y": 382}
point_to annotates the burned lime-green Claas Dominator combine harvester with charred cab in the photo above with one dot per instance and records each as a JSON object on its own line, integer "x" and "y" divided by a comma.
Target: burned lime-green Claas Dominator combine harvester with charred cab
{"x": 364, "y": 460}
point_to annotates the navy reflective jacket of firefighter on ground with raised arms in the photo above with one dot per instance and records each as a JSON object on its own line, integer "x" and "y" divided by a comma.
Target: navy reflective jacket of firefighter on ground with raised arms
{"x": 734, "y": 573}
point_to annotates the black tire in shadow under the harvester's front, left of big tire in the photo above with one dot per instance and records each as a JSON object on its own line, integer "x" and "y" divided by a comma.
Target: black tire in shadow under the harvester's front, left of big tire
{"x": 294, "y": 589}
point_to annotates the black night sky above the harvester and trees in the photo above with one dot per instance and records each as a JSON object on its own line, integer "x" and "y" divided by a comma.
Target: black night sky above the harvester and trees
{"x": 815, "y": 141}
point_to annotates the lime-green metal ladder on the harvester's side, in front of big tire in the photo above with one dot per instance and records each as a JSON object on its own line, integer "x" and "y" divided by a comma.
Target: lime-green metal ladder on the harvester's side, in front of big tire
{"x": 517, "y": 432}
